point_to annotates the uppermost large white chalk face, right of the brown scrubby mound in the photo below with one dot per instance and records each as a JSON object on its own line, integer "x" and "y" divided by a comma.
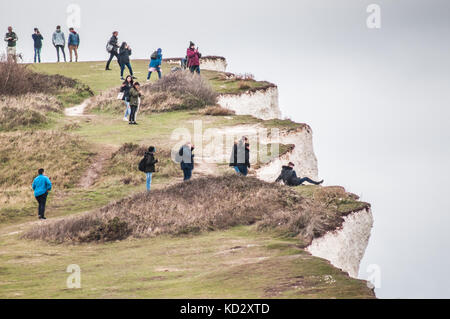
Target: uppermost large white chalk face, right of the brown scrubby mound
{"x": 261, "y": 103}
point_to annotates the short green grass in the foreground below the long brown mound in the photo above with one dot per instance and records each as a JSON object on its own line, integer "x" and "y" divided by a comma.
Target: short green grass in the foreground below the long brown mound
{"x": 238, "y": 263}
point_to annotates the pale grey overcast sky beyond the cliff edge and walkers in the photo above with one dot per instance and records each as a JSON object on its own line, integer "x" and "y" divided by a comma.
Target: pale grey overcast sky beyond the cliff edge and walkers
{"x": 377, "y": 99}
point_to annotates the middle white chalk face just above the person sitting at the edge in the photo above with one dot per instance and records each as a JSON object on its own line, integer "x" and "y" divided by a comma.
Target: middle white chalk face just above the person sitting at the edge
{"x": 302, "y": 155}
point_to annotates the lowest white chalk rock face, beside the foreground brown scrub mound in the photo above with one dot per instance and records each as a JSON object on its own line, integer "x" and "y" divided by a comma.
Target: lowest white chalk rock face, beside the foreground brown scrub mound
{"x": 345, "y": 247}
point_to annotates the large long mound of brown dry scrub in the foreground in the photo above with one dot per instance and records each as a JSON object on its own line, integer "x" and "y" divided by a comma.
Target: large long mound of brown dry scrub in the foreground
{"x": 204, "y": 204}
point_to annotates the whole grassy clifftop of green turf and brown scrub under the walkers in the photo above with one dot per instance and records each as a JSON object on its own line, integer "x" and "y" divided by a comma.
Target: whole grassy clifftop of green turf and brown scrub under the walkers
{"x": 219, "y": 237}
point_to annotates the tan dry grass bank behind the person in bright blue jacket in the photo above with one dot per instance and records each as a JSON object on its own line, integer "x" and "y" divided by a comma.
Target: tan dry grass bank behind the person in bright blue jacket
{"x": 63, "y": 156}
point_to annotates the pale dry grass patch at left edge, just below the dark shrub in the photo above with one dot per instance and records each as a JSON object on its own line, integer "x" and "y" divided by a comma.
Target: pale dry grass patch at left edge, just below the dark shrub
{"x": 26, "y": 110}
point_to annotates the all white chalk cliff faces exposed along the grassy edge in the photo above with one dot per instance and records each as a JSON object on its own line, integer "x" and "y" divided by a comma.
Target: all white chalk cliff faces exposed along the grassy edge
{"x": 343, "y": 247}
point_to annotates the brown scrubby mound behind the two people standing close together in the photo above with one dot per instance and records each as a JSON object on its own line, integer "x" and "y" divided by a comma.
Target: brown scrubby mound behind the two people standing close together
{"x": 175, "y": 91}
